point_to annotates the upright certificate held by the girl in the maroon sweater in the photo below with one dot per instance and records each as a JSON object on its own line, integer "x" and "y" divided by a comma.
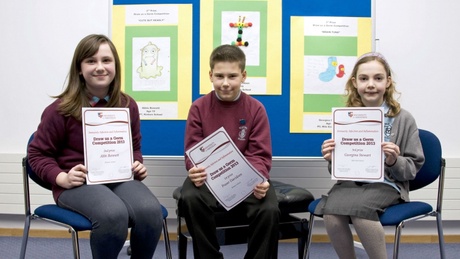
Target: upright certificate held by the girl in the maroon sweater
{"x": 107, "y": 145}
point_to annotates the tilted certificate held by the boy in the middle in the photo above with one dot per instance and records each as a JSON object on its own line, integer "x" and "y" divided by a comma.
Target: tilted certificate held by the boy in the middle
{"x": 230, "y": 177}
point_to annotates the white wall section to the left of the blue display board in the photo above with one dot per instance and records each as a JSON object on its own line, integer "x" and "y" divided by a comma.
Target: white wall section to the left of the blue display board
{"x": 37, "y": 45}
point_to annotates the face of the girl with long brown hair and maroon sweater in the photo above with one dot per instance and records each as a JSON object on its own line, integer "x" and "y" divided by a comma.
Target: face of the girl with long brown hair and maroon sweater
{"x": 99, "y": 71}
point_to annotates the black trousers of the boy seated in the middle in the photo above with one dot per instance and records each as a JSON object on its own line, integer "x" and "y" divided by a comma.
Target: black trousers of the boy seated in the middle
{"x": 199, "y": 206}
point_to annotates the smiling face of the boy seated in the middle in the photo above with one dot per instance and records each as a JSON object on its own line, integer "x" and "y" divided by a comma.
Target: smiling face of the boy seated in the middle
{"x": 226, "y": 78}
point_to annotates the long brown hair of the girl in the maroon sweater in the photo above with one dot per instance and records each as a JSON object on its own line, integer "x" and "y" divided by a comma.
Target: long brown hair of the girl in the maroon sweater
{"x": 75, "y": 95}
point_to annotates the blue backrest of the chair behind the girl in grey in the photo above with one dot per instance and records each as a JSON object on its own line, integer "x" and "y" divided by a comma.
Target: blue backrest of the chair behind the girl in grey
{"x": 432, "y": 167}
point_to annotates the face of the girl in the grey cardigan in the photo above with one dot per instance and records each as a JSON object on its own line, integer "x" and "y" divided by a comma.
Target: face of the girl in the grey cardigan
{"x": 371, "y": 82}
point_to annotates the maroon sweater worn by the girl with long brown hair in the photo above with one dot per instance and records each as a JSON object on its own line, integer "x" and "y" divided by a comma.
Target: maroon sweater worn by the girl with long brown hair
{"x": 58, "y": 143}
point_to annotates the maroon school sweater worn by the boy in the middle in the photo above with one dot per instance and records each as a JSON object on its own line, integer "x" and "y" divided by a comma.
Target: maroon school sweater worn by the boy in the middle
{"x": 245, "y": 120}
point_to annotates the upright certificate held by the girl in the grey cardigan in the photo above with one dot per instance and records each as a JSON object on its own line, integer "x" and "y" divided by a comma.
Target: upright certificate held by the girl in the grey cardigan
{"x": 358, "y": 135}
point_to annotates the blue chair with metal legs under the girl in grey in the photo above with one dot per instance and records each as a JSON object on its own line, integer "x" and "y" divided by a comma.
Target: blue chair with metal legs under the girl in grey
{"x": 397, "y": 215}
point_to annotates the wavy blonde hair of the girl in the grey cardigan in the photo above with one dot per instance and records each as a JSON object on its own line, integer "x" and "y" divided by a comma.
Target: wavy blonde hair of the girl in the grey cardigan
{"x": 351, "y": 93}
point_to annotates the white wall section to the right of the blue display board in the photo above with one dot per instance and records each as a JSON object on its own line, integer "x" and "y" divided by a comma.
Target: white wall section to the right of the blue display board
{"x": 420, "y": 40}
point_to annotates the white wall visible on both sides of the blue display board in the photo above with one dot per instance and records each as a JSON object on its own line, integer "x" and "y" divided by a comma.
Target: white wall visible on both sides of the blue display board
{"x": 418, "y": 37}
